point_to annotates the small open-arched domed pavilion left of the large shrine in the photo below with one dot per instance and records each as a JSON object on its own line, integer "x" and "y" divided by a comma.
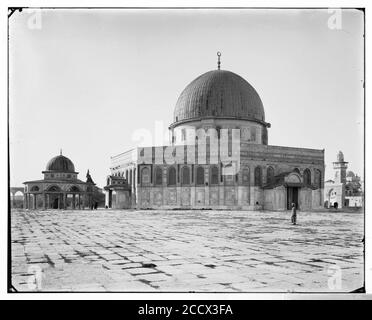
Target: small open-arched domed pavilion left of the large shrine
{"x": 60, "y": 188}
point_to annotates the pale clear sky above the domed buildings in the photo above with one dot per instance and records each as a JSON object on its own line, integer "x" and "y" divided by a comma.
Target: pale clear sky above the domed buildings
{"x": 88, "y": 79}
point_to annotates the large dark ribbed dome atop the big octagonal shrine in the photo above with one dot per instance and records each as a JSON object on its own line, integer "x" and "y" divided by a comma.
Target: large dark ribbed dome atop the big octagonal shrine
{"x": 219, "y": 94}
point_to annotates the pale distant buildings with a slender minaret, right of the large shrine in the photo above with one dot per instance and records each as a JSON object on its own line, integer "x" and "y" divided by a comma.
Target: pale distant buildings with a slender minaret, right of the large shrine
{"x": 346, "y": 189}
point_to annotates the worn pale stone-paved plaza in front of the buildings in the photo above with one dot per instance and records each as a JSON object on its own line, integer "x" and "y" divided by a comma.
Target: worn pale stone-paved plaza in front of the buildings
{"x": 183, "y": 251}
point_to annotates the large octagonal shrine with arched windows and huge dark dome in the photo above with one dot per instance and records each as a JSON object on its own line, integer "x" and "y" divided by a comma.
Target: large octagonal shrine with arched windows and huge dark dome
{"x": 218, "y": 156}
